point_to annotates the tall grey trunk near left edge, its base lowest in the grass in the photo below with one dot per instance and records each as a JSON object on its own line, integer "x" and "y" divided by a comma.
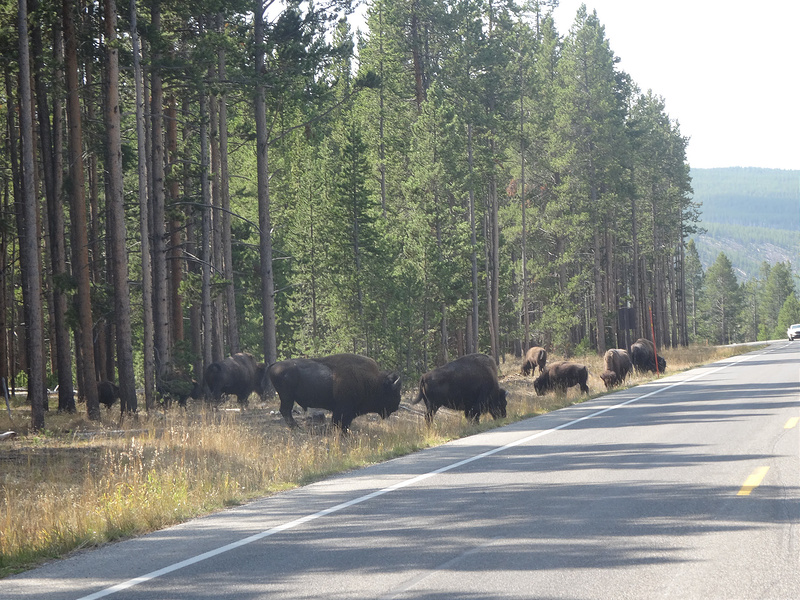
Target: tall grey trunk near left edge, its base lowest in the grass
{"x": 29, "y": 246}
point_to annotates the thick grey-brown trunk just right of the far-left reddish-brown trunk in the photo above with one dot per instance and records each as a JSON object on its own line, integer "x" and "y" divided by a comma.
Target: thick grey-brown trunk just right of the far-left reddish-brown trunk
{"x": 116, "y": 205}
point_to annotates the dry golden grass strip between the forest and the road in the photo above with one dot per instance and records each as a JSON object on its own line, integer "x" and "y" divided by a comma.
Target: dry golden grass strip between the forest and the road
{"x": 82, "y": 484}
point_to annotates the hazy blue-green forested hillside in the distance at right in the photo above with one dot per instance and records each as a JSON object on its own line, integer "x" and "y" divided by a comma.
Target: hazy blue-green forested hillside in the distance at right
{"x": 752, "y": 215}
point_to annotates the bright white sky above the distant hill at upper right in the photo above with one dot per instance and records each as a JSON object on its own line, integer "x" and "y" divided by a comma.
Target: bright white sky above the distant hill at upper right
{"x": 728, "y": 71}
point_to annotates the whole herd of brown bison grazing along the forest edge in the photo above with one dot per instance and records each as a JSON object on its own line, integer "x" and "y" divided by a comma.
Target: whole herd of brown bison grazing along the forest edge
{"x": 350, "y": 385}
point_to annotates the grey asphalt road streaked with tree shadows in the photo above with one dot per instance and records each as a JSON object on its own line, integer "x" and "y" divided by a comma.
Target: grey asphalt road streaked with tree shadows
{"x": 688, "y": 487}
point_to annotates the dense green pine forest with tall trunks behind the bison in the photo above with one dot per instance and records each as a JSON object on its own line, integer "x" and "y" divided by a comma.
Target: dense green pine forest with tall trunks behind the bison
{"x": 182, "y": 181}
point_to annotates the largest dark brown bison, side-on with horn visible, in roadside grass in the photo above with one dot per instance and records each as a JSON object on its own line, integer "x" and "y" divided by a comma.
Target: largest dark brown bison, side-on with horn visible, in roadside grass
{"x": 348, "y": 385}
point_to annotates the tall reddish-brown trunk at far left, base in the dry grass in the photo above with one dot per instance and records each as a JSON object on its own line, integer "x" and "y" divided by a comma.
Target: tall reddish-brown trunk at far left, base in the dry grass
{"x": 80, "y": 242}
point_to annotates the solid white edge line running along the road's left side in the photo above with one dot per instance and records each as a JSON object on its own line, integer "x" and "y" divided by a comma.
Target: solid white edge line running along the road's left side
{"x": 402, "y": 484}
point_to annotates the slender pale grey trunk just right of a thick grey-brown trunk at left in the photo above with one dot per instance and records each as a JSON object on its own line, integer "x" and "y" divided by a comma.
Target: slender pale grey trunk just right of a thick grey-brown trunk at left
{"x": 148, "y": 349}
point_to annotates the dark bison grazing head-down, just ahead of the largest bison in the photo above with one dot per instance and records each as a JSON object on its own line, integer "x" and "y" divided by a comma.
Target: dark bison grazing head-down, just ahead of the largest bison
{"x": 468, "y": 383}
